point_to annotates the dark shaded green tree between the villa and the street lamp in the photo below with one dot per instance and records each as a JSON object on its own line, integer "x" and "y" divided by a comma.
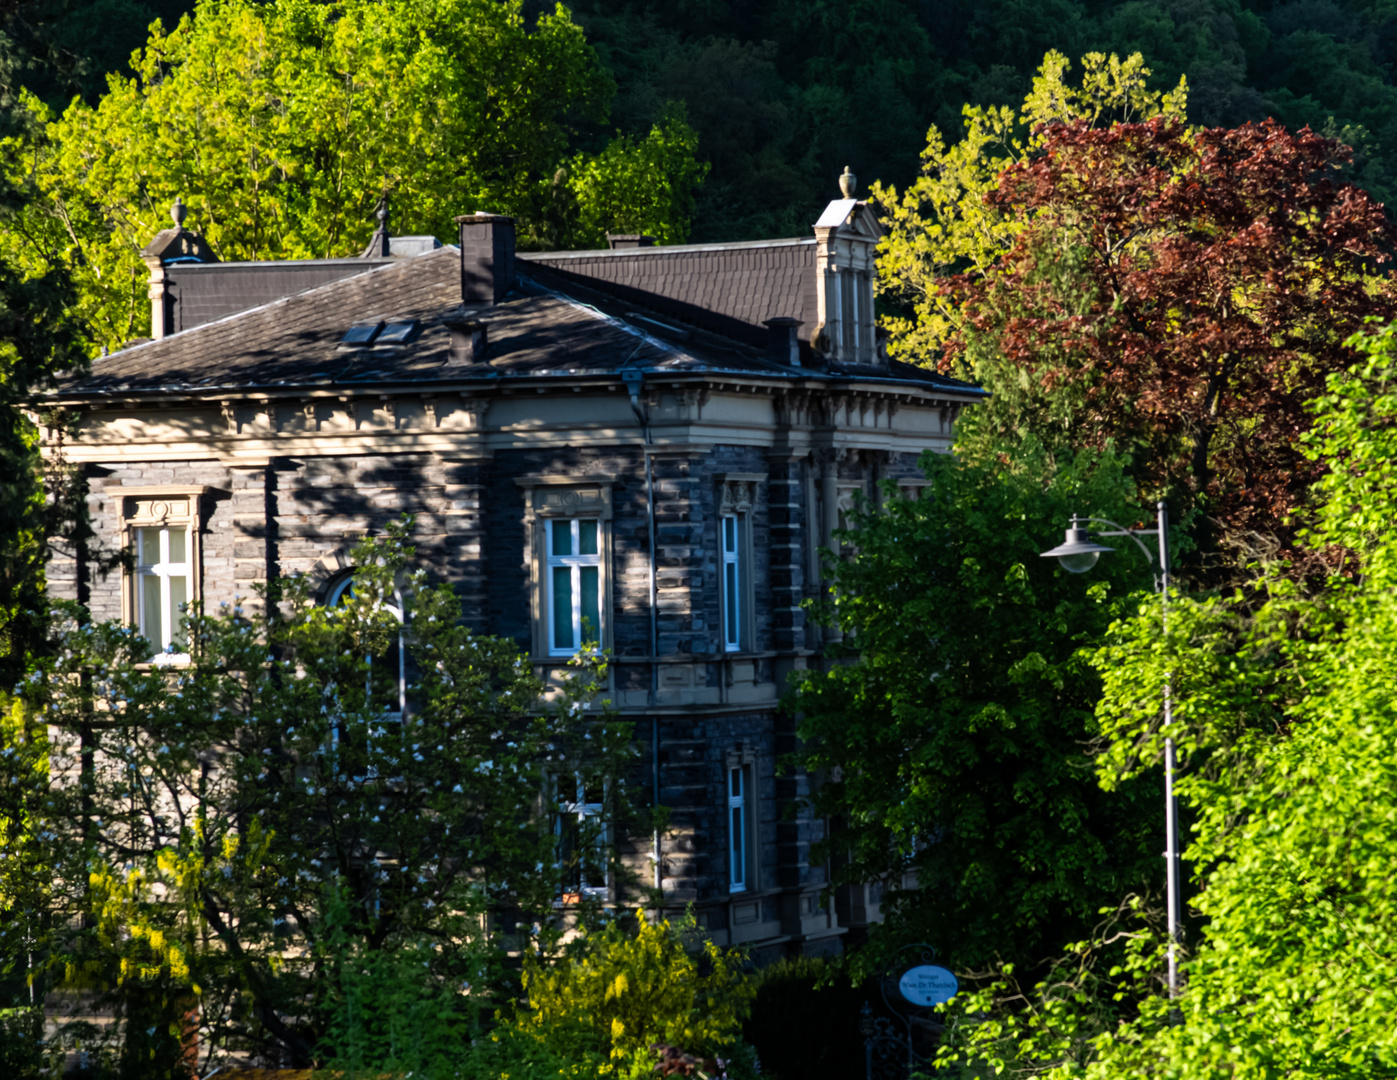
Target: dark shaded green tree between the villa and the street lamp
{"x": 956, "y": 748}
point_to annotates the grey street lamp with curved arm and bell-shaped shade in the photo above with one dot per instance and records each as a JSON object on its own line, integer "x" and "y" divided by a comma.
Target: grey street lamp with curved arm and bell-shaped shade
{"x": 1078, "y": 554}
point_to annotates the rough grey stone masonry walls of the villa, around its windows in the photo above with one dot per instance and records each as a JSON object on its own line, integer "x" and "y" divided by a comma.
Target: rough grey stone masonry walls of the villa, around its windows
{"x": 305, "y": 515}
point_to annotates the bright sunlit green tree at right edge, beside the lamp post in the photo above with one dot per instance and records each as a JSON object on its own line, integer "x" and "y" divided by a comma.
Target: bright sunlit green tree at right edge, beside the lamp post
{"x": 1285, "y": 717}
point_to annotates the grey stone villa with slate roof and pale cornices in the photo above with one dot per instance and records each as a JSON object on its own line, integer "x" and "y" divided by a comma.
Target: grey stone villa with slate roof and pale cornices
{"x": 656, "y": 442}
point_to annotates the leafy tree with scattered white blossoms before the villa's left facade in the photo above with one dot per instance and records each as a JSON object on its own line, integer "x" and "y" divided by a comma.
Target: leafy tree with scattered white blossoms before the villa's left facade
{"x": 247, "y": 833}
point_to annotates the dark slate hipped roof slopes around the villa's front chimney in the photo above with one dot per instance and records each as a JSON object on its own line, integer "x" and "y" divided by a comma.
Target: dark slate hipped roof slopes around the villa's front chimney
{"x": 537, "y": 332}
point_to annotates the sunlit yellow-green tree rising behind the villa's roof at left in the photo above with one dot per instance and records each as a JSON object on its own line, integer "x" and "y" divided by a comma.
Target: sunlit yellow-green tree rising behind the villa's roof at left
{"x": 281, "y": 125}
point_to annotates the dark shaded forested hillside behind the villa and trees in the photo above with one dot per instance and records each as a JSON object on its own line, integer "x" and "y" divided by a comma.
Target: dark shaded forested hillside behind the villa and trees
{"x": 787, "y": 93}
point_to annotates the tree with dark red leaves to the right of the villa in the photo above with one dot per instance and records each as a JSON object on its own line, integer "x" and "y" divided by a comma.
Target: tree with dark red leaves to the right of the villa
{"x": 1184, "y": 294}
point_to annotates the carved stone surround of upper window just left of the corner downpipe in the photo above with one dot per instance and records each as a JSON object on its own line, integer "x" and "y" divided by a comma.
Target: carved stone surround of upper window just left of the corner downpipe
{"x": 554, "y": 497}
